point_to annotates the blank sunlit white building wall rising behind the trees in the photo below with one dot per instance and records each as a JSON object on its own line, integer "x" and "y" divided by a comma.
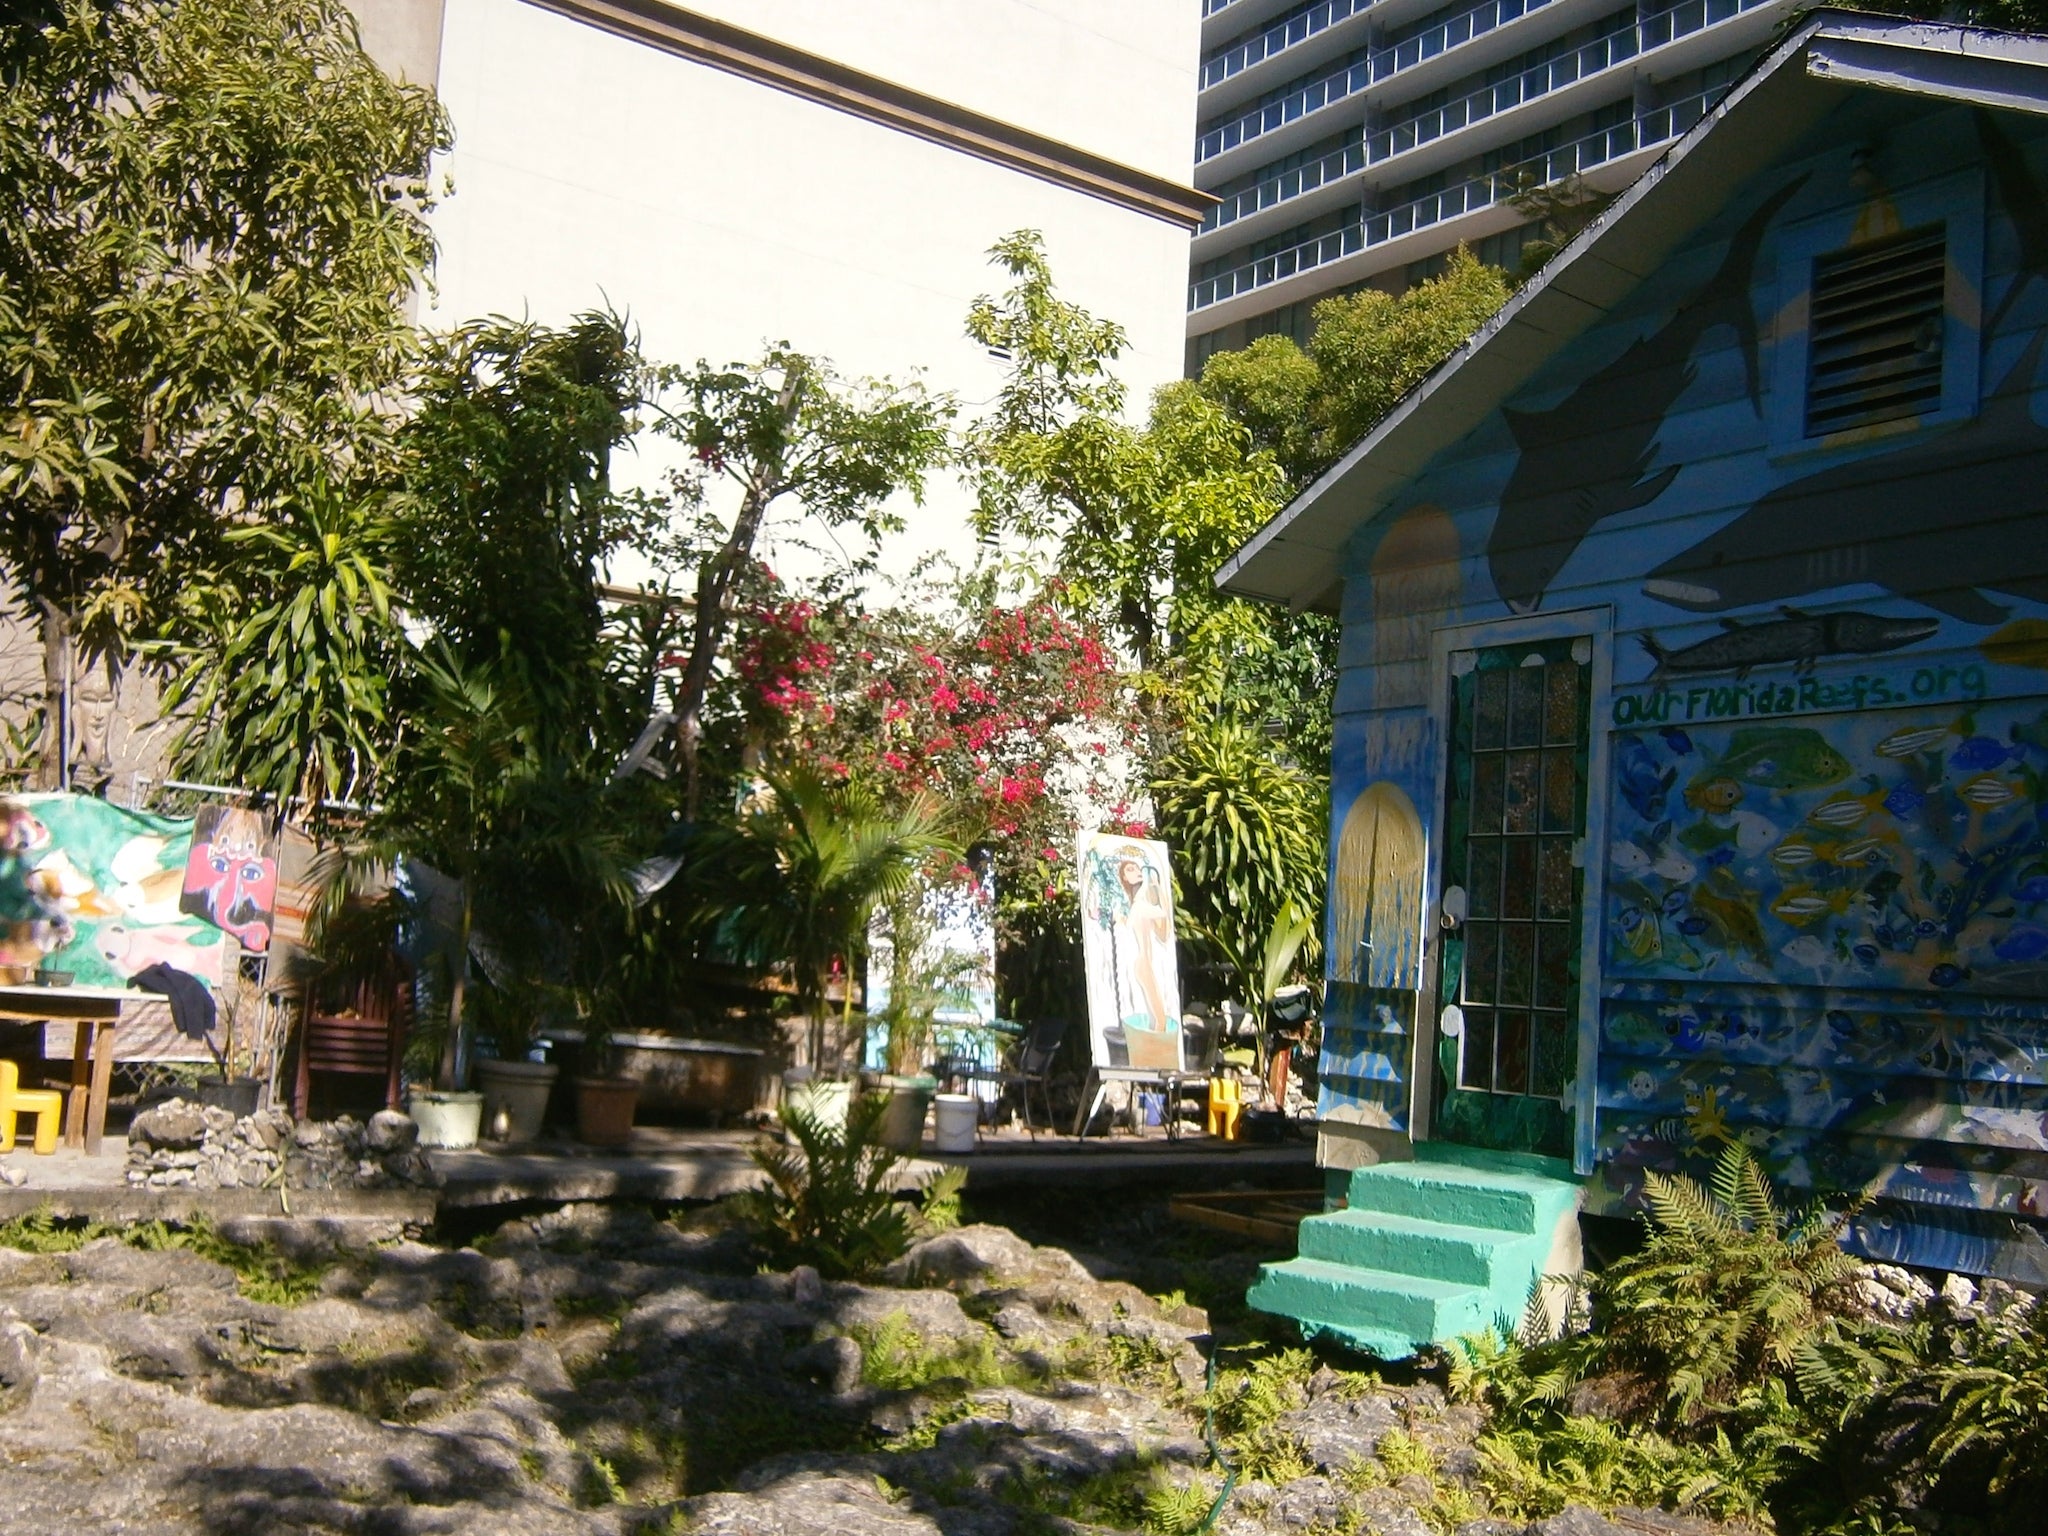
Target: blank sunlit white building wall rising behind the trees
{"x": 722, "y": 214}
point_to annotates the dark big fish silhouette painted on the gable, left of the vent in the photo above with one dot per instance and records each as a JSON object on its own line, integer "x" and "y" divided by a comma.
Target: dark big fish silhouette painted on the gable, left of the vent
{"x": 1566, "y": 482}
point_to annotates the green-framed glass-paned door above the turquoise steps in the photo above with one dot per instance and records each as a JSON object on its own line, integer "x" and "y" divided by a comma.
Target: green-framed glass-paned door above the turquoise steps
{"x": 1512, "y": 886}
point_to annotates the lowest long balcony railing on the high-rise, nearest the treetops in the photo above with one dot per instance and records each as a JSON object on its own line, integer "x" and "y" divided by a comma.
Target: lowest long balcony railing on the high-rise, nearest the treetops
{"x": 1480, "y": 194}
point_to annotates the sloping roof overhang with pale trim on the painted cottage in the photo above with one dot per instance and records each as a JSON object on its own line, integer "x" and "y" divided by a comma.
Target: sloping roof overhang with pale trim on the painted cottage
{"x": 1297, "y": 558}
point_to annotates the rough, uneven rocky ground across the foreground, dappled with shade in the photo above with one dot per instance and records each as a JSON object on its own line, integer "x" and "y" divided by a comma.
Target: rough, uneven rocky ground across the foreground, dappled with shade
{"x": 609, "y": 1371}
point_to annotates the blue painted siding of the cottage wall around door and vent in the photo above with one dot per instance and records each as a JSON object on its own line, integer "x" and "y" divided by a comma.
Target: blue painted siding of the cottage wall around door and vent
{"x": 1830, "y": 1037}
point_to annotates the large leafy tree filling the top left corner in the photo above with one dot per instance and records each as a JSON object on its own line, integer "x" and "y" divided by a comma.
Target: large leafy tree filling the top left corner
{"x": 216, "y": 220}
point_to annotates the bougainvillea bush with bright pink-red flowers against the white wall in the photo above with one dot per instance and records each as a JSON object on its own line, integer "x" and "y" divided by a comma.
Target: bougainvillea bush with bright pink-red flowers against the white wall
{"x": 1015, "y": 712}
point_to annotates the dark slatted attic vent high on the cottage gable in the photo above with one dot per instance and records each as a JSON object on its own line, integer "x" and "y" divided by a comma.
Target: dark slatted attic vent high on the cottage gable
{"x": 1875, "y": 335}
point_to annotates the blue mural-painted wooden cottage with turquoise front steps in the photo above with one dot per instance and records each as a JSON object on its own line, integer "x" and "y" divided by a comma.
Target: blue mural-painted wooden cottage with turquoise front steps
{"x": 1693, "y": 728}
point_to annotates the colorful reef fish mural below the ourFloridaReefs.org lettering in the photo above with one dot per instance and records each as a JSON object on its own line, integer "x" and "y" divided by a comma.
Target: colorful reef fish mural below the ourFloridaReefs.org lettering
{"x": 1891, "y": 849}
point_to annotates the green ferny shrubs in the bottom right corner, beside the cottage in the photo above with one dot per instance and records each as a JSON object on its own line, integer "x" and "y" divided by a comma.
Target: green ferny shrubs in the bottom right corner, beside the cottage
{"x": 1727, "y": 1371}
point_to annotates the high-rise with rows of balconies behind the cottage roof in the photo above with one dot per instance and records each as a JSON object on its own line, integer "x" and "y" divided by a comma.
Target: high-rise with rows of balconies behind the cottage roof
{"x": 1355, "y": 142}
